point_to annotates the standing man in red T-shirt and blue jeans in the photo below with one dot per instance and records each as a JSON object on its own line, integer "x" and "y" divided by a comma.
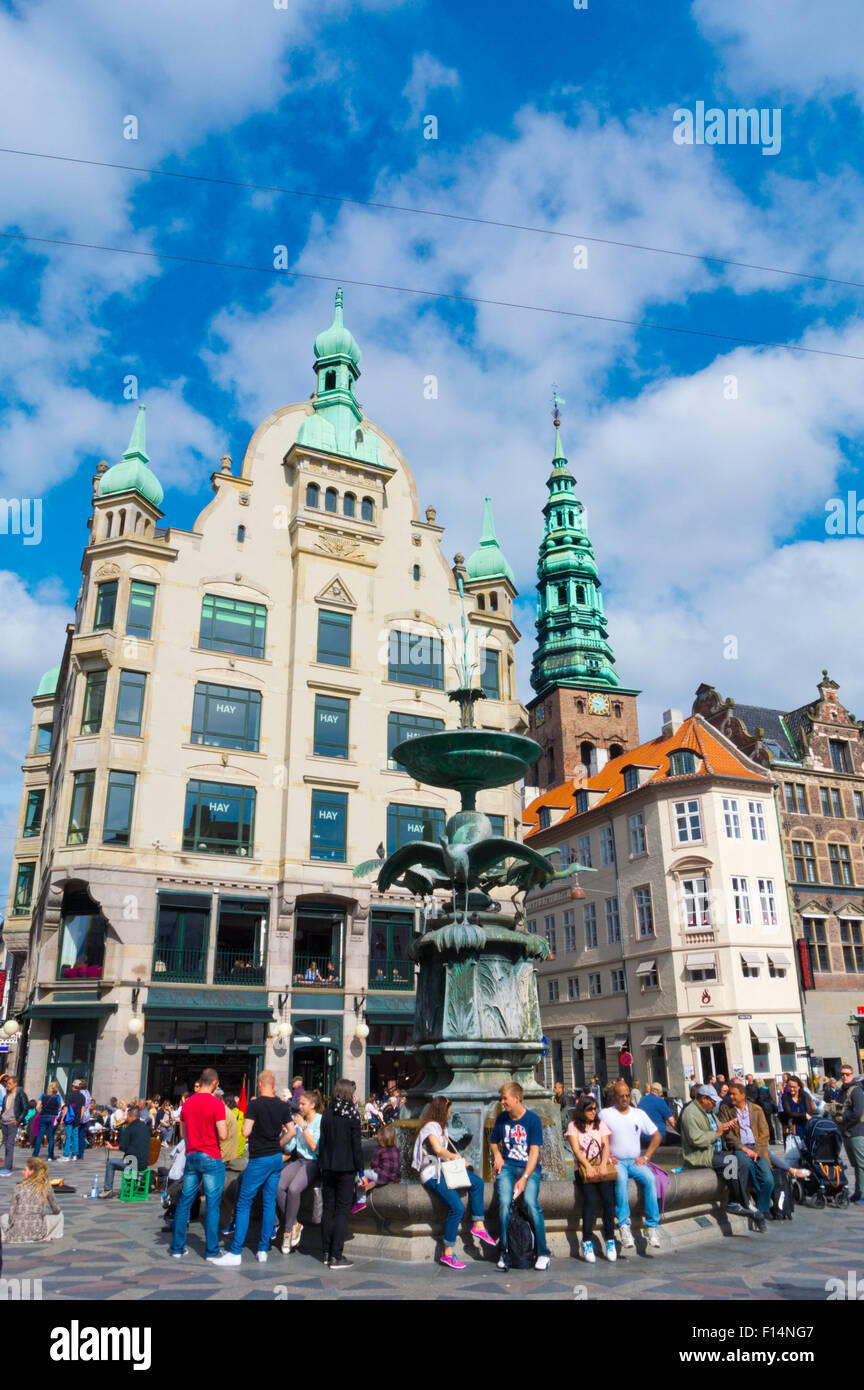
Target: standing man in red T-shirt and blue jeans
{"x": 202, "y": 1127}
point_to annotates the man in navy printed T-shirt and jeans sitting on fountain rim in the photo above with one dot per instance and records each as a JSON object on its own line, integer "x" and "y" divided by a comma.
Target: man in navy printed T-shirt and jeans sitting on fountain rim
{"x": 516, "y": 1143}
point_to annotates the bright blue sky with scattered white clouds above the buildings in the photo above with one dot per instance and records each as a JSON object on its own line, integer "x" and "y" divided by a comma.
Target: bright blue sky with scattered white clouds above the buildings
{"x": 706, "y": 512}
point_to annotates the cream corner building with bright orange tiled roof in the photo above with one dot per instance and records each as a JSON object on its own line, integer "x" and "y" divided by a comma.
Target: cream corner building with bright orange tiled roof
{"x": 680, "y": 951}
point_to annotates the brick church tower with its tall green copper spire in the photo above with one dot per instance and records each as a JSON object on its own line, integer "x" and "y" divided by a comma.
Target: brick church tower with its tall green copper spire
{"x": 581, "y": 714}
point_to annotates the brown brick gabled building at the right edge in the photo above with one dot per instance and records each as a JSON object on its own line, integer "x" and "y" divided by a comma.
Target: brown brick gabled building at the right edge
{"x": 816, "y": 757}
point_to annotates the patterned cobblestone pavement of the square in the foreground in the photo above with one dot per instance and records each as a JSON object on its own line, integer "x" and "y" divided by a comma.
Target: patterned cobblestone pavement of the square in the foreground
{"x": 120, "y": 1252}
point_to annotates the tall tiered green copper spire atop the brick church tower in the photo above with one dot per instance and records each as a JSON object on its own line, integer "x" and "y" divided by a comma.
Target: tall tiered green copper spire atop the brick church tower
{"x": 573, "y": 643}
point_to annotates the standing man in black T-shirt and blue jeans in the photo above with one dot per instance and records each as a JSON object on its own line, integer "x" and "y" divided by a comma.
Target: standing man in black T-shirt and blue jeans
{"x": 266, "y": 1118}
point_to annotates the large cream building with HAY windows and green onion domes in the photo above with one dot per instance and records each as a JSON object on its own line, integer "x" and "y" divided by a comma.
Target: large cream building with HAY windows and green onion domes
{"x": 212, "y": 757}
